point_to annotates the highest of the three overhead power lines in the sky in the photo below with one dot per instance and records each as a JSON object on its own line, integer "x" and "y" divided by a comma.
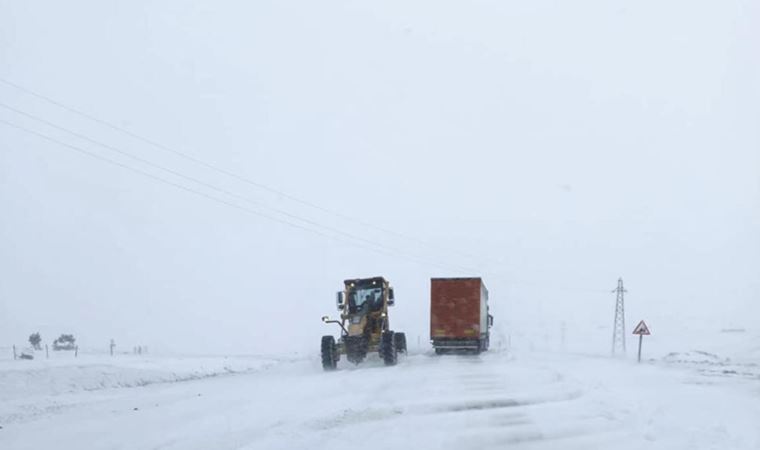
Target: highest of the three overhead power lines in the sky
{"x": 228, "y": 173}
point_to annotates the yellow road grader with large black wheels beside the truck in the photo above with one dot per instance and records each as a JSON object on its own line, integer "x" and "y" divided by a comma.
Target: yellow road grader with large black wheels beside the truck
{"x": 364, "y": 324}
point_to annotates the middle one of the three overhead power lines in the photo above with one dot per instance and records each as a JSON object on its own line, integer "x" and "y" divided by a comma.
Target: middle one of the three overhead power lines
{"x": 208, "y": 185}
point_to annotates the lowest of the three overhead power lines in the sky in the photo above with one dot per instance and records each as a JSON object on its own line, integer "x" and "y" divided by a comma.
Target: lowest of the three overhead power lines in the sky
{"x": 387, "y": 252}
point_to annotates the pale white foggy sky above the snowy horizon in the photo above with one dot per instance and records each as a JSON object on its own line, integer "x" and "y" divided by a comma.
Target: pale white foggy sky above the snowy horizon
{"x": 549, "y": 147}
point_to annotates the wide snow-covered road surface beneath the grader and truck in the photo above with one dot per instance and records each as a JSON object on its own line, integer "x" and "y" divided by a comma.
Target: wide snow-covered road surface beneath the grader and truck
{"x": 531, "y": 401}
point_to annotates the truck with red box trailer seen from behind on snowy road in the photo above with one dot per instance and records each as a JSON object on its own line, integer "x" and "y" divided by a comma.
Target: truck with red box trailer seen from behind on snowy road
{"x": 459, "y": 316}
